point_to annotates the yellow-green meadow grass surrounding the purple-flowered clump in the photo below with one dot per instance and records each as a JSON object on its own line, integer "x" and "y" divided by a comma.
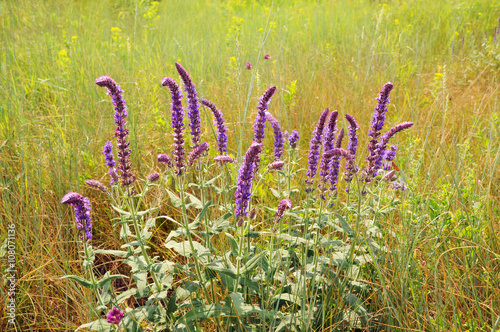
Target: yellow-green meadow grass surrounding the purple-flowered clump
{"x": 440, "y": 55}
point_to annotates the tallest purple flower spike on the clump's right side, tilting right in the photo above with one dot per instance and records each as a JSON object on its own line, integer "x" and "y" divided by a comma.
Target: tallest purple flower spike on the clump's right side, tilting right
{"x": 378, "y": 120}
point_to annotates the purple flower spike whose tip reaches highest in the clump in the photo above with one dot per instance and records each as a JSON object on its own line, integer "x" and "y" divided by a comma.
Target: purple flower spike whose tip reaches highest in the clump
{"x": 192, "y": 101}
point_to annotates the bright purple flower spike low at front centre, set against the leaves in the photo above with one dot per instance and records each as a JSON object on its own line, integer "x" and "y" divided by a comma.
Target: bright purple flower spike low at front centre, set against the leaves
{"x": 244, "y": 182}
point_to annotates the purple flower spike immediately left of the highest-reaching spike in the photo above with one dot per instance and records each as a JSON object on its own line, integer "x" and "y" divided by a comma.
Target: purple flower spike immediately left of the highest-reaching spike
{"x": 177, "y": 114}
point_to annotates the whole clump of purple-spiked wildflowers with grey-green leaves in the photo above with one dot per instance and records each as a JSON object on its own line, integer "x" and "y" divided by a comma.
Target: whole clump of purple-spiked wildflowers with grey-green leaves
{"x": 233, "y": 284}
